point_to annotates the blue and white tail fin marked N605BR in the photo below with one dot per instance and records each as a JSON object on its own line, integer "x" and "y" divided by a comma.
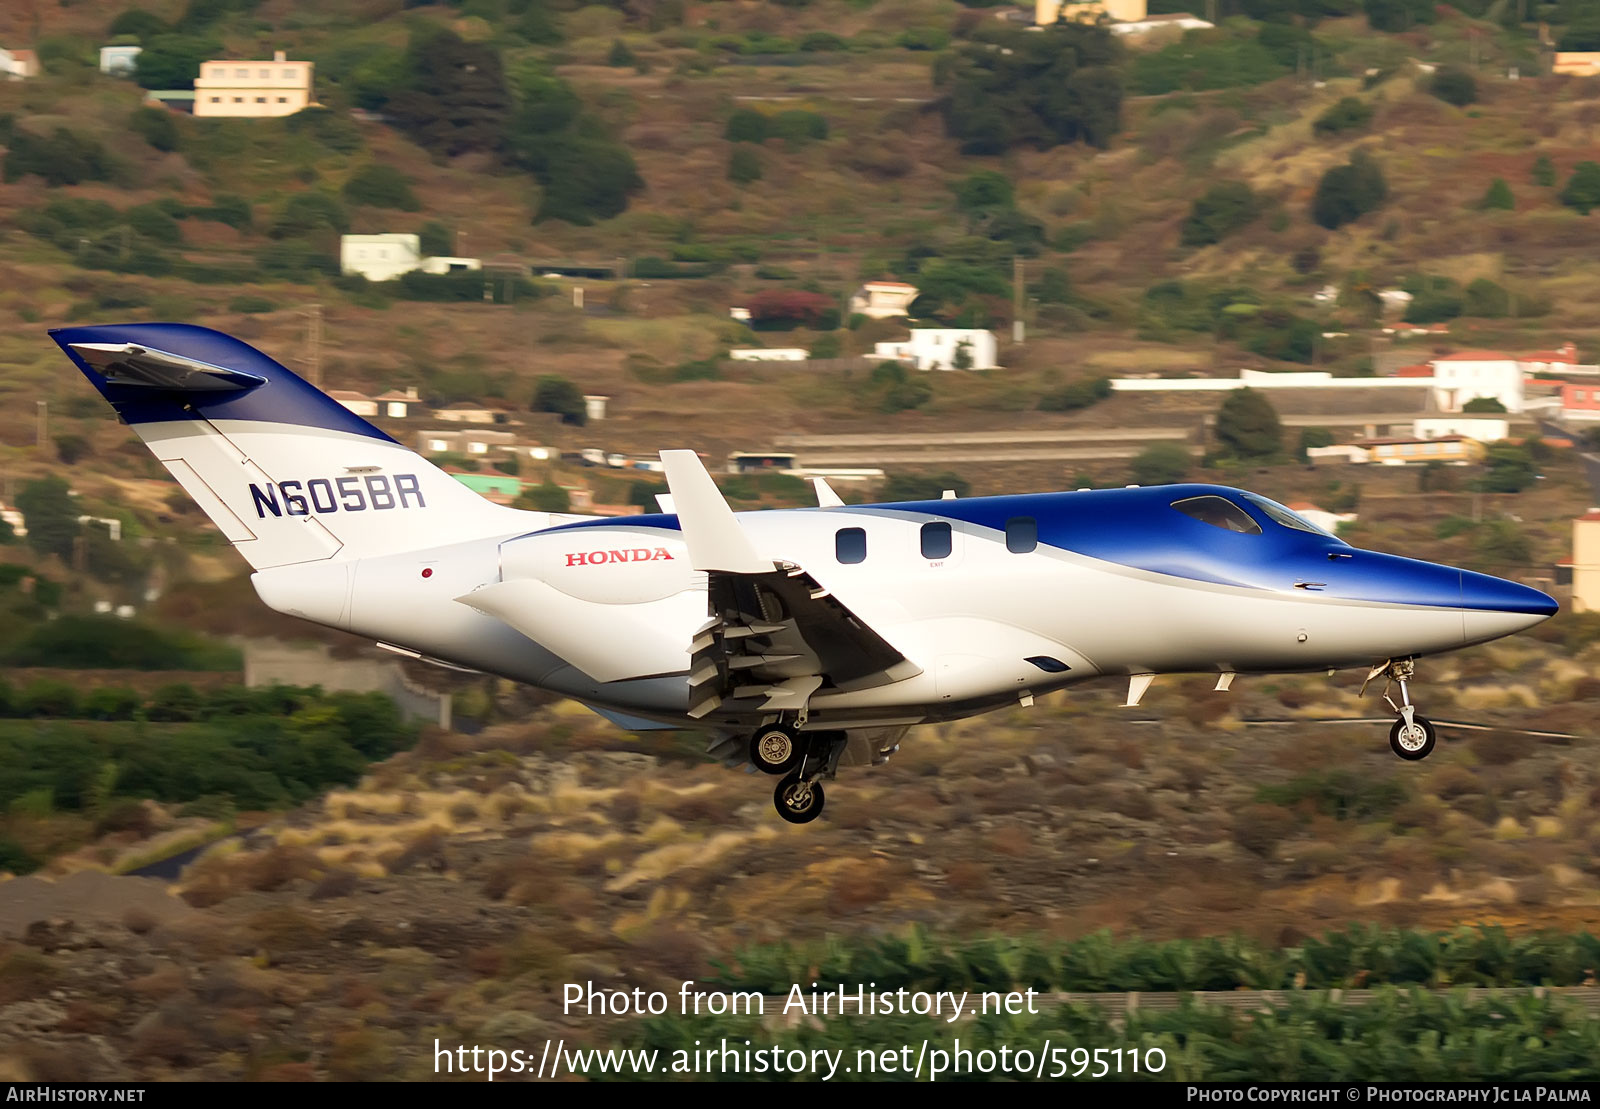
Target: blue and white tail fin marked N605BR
{"x": 282, "y": 470}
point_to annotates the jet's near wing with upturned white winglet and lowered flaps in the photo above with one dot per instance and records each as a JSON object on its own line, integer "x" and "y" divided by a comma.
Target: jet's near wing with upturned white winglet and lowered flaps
{"x": 775, "y": 635}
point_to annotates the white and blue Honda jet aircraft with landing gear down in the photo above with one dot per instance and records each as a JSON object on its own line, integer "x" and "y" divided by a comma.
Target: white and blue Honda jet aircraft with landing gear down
{"x": 799, "y": 638}
